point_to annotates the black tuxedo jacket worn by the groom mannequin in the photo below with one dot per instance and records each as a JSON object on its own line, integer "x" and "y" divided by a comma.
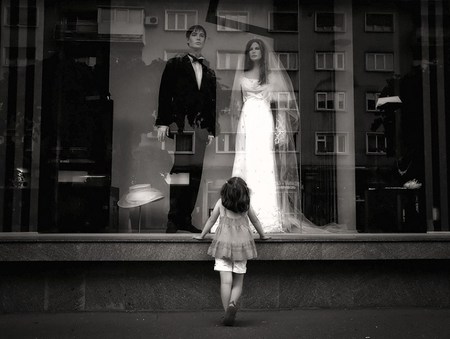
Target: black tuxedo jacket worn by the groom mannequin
{"x": 180, "y": 97}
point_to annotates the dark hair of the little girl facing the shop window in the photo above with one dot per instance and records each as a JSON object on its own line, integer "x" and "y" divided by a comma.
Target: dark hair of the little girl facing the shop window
{"x": 235, "y": 195}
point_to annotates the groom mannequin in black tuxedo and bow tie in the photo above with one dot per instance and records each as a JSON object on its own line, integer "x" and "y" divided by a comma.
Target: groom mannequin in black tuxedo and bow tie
{"x": 187, "y": 96}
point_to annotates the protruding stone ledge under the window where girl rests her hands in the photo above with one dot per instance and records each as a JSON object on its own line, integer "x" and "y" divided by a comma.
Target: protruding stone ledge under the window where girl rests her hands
{"x": 17, "y": 247}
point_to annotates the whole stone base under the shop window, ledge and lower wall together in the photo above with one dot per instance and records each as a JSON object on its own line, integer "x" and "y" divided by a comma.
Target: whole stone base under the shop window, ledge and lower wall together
{"x": 143, "y": 272}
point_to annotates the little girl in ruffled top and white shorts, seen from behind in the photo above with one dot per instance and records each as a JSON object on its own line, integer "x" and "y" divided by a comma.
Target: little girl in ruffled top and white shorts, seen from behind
{"x": 233, "y": 241}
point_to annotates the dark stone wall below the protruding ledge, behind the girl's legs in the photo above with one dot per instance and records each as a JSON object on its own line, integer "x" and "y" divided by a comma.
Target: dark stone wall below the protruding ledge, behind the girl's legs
{"x": 152, "y": 286}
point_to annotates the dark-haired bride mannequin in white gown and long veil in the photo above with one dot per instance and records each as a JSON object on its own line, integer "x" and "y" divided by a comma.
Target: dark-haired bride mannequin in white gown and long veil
{"x": 265, "y": 117}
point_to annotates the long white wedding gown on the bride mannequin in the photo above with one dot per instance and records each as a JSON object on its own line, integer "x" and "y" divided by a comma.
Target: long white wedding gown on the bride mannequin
{"x": 255, "y": 159}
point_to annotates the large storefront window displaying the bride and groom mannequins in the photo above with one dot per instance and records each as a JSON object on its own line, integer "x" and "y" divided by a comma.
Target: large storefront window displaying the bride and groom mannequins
{"x": 342, "y": 127}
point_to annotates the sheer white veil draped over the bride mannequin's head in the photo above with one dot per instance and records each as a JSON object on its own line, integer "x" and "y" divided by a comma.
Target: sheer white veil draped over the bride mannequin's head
{"x": 287, "y": 122}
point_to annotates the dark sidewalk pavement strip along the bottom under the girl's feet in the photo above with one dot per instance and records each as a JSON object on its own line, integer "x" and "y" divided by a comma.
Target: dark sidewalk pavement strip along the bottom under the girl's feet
{"x": 428, "y": 323}
